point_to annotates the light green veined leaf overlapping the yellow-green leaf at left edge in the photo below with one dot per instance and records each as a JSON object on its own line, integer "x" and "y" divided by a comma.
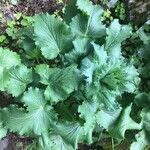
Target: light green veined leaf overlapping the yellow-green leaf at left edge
{"x": 19, "y": 78}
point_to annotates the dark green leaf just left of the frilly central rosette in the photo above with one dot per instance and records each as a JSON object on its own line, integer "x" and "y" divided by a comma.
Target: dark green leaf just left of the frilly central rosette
{"x": 62, "y": 83}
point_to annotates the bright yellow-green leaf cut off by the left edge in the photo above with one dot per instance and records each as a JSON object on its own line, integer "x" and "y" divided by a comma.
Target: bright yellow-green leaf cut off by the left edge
{"x": 8, "y": 59}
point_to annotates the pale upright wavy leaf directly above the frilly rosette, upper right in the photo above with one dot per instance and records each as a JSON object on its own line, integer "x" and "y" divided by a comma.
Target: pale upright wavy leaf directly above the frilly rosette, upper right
{"x": 116, "y": 34}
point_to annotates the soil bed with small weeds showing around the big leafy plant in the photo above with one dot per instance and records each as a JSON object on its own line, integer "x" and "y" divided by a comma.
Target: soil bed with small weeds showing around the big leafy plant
{"x": 25, "y": 8}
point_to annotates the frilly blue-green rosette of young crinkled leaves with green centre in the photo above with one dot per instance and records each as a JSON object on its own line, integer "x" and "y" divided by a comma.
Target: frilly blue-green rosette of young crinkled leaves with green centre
{"x": 107, "y": 77}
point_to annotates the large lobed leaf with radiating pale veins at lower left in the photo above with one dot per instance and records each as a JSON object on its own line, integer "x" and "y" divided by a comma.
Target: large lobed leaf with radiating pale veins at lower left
{"x": 38, "y": 117}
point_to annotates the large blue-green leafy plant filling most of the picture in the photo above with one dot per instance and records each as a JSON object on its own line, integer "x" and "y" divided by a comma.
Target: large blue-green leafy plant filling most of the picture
{"x": 74, "y": 82}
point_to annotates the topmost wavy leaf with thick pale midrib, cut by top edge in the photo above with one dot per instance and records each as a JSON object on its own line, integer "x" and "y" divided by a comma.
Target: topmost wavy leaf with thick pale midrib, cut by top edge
{"x": 88, "y": 25}
